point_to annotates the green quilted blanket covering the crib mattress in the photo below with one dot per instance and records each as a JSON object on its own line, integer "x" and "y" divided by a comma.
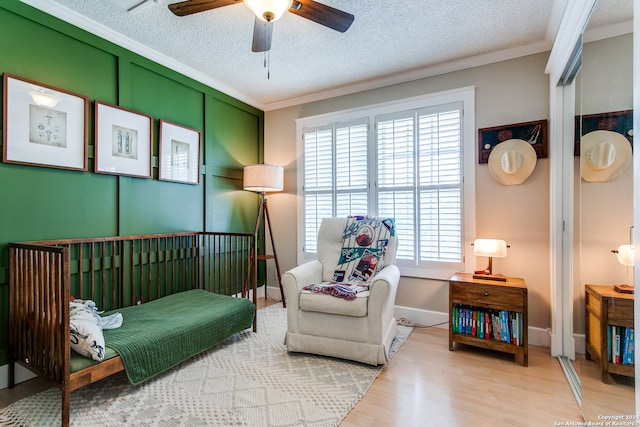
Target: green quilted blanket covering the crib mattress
{"x": 159, "y": 334}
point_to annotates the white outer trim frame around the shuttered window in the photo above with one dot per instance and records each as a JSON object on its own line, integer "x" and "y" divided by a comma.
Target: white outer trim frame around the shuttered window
{"x": 466, "y": 96}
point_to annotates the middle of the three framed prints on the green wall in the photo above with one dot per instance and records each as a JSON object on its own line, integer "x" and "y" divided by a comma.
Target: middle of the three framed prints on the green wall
{"x": 123, "y": 141}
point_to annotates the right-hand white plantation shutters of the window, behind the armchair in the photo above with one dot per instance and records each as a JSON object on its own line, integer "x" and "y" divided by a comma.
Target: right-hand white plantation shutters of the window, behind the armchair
{"x": 420, "y": 180}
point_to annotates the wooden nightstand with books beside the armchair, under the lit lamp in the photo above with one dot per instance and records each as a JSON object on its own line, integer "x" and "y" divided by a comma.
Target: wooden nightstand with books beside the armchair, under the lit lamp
{"x": 489, "y": 298}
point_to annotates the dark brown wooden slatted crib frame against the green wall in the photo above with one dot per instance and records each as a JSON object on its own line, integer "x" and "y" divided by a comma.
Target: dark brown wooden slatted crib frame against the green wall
{"x": 115, "y": 272}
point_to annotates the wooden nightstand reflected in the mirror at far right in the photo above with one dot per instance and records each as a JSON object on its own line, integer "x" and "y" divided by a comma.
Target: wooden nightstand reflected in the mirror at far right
{"x": 604, "y": 309}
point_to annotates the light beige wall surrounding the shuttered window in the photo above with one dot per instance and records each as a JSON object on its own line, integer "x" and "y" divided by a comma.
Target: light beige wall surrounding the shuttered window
{"x": 508, "y": 92}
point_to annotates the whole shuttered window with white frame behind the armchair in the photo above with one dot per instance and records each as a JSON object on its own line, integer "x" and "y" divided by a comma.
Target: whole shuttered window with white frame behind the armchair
{"x": 404, "y": 160}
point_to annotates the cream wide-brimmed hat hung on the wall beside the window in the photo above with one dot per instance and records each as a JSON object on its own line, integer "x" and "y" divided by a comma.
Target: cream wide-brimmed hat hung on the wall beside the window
{"x": 512, "y": 161}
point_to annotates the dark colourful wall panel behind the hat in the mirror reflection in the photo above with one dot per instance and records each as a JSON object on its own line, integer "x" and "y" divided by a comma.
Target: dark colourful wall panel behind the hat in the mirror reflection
{"x": 615, "y": 121}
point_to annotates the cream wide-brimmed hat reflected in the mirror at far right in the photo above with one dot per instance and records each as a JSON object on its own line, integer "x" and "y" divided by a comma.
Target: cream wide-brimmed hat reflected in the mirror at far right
{"x": 603, "y": 155}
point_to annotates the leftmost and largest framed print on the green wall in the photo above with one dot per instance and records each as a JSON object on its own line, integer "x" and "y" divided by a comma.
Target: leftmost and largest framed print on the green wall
{"x": 43, "y": 125}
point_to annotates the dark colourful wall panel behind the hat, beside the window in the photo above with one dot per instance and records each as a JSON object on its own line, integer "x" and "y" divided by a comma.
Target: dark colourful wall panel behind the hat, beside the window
{"x": 534, "y": 132}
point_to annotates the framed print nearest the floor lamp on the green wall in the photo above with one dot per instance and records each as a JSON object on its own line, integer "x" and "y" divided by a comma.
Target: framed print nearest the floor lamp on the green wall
{"x": 179, "y": 153}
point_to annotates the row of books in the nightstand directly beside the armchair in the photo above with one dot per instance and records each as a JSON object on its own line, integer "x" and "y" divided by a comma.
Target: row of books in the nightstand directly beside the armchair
{"x": 488, "y": 324}
